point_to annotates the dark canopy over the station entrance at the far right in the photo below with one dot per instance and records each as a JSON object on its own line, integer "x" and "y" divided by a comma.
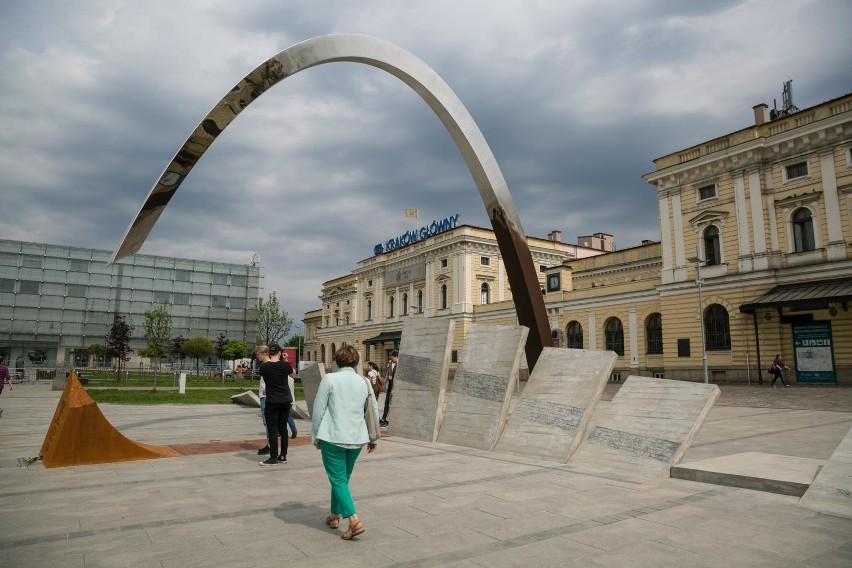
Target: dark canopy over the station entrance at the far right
{"x": 804, "y": 296}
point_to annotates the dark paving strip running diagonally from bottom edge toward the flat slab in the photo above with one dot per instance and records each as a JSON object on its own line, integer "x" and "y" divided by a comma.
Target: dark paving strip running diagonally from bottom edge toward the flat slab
{"x": 556, "y": 532}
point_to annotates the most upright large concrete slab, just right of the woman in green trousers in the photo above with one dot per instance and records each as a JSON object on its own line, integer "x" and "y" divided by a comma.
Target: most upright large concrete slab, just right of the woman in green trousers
{"x": 421, "y": 377}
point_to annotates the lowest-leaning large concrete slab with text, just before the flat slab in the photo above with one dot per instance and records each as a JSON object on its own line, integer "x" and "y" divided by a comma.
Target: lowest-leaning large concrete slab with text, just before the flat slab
{"x": 648, "y": 427}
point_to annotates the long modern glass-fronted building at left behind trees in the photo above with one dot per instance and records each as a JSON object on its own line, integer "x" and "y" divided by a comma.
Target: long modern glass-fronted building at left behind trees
{"x": 56, "y": 301}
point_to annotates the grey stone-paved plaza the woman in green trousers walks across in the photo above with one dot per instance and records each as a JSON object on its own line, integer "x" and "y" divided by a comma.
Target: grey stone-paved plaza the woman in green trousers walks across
{"x": 423, "y": 504}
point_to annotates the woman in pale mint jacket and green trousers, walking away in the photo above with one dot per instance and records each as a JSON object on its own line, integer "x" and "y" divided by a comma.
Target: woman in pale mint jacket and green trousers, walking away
{"x": 343, "y": 406}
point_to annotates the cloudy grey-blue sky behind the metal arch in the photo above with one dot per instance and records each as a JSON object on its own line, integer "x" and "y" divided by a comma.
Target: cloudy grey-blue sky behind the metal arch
{"x": 575, "y": 98}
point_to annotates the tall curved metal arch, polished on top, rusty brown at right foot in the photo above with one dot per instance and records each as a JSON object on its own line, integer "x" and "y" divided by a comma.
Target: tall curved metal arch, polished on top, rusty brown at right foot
{"x": 391, "y": 58}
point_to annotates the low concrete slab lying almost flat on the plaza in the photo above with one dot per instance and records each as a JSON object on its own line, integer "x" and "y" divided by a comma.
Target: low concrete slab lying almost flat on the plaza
{"x": 785, "y": 475}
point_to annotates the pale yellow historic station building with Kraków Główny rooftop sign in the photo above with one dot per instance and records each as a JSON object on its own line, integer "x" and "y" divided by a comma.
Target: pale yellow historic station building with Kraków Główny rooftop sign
{"x": 753, "y": 260}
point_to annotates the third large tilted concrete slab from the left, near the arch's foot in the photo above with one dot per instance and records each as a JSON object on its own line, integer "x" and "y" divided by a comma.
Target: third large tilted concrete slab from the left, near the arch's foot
{"x": 549, "y": 420}
